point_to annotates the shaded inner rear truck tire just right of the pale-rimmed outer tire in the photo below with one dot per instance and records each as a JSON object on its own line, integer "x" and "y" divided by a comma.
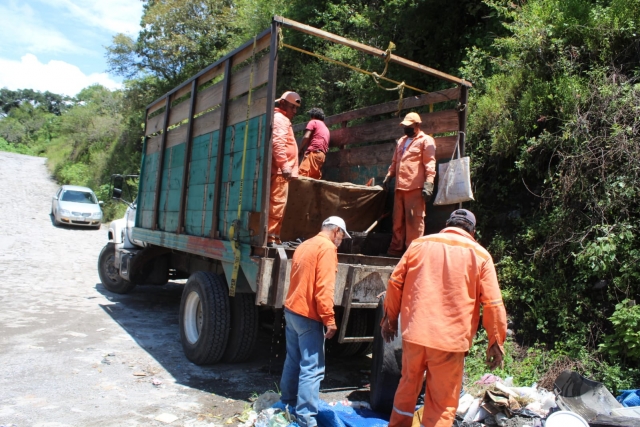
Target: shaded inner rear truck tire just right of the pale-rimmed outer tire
{"x": 244, "y": 328}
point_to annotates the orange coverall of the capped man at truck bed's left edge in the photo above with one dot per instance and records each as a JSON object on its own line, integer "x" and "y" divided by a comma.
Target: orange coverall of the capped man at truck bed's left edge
{"x": 284, "y": 157}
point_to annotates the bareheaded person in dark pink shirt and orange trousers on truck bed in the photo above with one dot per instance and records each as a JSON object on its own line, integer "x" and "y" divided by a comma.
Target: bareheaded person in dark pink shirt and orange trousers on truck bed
{"x": 316, "y": 136}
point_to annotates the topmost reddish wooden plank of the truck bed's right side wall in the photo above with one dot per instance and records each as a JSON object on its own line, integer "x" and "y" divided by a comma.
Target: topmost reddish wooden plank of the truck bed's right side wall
{"x": 389, "y": 107}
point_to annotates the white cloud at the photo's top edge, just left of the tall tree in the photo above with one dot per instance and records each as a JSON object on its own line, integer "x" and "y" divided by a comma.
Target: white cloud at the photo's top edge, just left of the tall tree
{"x": 118, "y": 16}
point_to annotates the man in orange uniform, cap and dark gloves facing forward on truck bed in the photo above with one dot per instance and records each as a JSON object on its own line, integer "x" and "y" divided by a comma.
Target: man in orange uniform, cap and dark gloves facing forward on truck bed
{"x": 414, "y": 167}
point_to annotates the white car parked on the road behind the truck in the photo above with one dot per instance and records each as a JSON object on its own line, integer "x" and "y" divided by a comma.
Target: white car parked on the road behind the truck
{"x": 76, "y": 205}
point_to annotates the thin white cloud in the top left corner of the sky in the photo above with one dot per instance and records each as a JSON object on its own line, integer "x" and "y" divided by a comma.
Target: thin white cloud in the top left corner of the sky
{"x": 22, "y": 26}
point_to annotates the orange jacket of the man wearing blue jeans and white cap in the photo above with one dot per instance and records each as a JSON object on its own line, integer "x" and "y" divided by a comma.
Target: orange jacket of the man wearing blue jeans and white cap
{"x": 313, "y": 280}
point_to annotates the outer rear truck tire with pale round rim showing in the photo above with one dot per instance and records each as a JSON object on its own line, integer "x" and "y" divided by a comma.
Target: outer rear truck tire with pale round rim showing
{"x": 205, "y": 317}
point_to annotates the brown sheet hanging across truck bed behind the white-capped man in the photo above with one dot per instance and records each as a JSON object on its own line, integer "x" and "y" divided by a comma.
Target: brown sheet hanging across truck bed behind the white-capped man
{"x": 311, "y": 201}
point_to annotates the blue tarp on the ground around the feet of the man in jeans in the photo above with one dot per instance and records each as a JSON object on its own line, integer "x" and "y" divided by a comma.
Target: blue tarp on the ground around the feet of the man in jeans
{"x": 343, "y": 416}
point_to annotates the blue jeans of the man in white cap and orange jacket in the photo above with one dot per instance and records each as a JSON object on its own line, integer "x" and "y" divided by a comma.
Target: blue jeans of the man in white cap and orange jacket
{"x": 303, "y": 368}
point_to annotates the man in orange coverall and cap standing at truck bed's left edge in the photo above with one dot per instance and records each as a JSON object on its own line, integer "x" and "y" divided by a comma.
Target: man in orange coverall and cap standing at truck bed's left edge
{"x": 284, "y": 165}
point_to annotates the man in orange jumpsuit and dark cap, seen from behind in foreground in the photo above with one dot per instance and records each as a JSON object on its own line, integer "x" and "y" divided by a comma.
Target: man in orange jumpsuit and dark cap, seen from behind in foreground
{"x": 437, "y": 289}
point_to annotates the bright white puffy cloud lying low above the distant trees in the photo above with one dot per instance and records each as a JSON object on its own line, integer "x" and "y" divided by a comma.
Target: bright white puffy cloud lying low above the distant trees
{"x": 55, "y": 76}
